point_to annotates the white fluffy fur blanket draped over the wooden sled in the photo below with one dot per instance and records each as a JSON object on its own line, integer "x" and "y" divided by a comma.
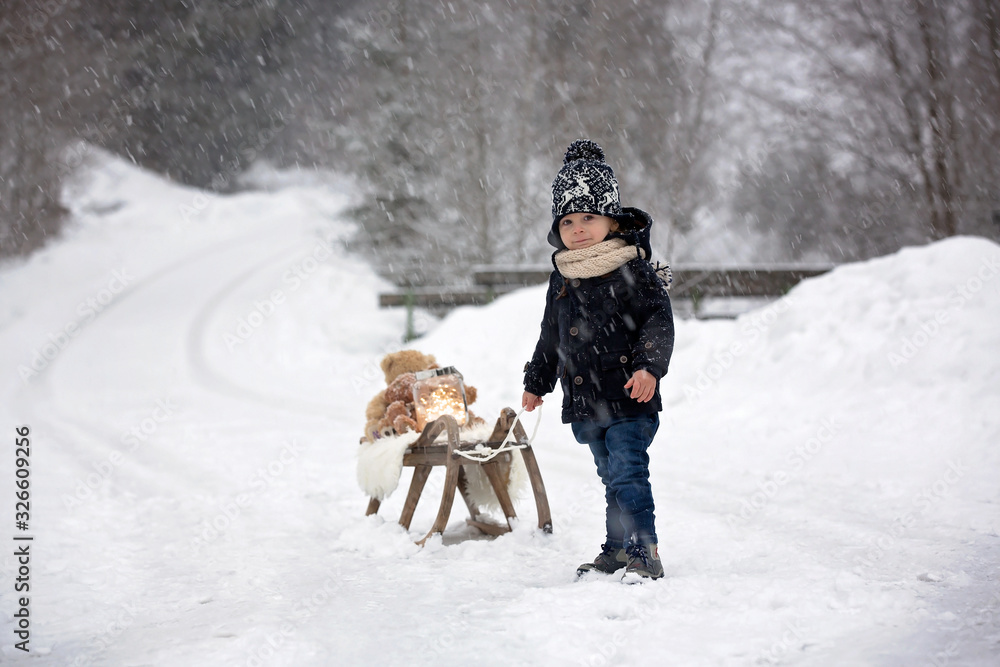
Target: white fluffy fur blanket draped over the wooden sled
{"x": 380, "y": 465}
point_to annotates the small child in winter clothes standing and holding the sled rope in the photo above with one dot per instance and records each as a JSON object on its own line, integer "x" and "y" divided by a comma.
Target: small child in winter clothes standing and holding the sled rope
{"x": 607, "y": 335}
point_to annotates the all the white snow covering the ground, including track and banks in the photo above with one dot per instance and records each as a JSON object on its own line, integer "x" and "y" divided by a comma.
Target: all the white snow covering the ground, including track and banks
{"x": 194, "y": 371}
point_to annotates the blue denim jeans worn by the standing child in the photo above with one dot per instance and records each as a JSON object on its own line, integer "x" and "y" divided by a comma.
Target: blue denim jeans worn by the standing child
{"x": 619, "y": 447}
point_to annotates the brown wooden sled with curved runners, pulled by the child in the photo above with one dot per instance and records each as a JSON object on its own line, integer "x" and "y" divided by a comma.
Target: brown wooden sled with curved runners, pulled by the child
{"x": 424, "y": 454}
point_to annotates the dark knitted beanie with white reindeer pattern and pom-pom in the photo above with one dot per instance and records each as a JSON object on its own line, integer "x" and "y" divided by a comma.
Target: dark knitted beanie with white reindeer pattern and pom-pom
{"x": 585, "y": 184}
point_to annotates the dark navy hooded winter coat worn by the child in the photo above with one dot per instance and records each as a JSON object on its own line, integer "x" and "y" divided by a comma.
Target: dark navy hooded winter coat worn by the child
{"x": 596, "y": 332}
